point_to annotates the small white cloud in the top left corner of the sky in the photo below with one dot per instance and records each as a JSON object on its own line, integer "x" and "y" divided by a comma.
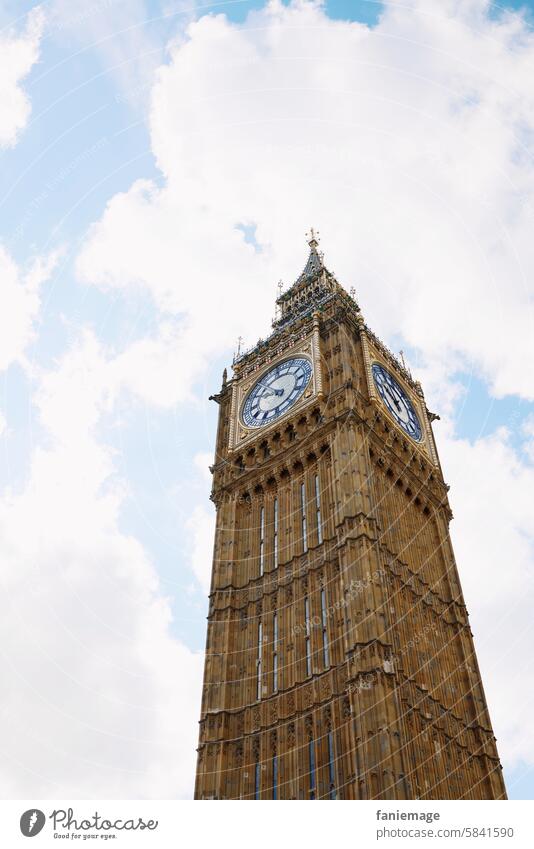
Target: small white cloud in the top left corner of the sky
{"x": 18, "y": 54}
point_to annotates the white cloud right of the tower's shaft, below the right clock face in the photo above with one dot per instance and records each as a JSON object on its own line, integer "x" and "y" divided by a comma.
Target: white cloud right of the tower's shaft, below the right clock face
{"x": 493, "y": 535}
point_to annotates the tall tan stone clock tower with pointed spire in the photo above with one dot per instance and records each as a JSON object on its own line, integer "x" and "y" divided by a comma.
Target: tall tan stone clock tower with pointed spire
{"x": 339, "y": 659}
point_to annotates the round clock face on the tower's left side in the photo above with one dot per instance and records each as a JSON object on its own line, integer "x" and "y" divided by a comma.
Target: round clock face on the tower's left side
{"x": 276, "y": 392}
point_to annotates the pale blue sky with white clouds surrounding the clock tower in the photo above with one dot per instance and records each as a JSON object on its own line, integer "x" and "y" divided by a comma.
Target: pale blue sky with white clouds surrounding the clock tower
{"x": 160, "y": 163}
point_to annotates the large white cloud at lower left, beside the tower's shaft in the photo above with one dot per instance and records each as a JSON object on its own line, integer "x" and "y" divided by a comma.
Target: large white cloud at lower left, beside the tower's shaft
{"x": 98, "y": 692}
